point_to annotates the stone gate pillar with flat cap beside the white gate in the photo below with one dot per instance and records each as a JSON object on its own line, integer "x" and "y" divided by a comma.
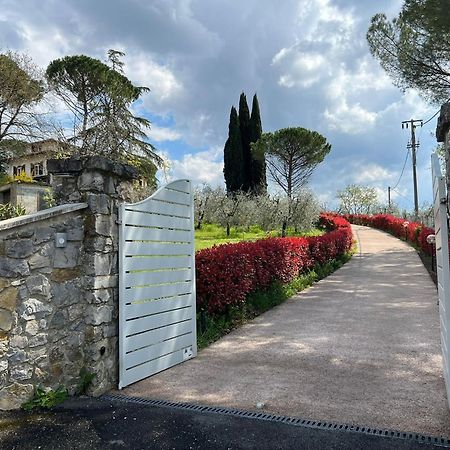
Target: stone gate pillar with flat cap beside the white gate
{"x": 102, "y": 184}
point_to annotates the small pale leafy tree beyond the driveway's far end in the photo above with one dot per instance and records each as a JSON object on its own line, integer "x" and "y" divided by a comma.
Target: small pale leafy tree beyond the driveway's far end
{"x": 357, "y": 199}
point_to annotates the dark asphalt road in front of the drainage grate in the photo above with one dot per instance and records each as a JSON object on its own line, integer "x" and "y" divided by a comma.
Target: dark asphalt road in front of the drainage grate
{"x": 99, "y": 424}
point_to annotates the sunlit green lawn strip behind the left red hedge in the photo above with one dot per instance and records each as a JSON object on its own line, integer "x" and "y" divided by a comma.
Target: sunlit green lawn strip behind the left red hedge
{"x": 212, "y": 234}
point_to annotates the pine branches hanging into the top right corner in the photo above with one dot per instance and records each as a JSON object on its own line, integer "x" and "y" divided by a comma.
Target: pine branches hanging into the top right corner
{"x": 414, "y": 48}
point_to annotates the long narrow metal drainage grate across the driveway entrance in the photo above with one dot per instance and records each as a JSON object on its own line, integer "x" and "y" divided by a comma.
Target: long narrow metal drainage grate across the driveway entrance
{"x": 440, "y": 441}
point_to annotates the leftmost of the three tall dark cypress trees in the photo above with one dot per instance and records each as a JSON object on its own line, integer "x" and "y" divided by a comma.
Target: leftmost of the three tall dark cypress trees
{"x": 233, "y": 156}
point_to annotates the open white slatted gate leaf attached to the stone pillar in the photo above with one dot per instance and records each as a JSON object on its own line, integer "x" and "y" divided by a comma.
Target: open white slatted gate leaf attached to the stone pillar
{"x": 157, "y": 314}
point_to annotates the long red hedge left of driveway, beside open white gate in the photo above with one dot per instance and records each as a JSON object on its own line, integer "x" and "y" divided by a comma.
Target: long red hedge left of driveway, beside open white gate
{"x": 226, "y": 274}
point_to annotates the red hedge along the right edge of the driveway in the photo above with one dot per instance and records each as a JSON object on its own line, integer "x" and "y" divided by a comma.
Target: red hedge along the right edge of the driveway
{"x": 413, "y": 232}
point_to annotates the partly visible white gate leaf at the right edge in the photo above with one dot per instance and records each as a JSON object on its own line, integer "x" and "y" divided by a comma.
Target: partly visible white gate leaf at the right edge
{"x": 442, "y": 262}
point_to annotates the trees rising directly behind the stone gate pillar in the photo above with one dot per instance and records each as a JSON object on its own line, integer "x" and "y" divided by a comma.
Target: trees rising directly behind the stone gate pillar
{"x": 100, "y": 98}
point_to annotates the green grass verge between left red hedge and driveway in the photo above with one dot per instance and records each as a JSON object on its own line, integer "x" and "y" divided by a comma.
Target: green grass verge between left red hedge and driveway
{"x": 211, "y": 328}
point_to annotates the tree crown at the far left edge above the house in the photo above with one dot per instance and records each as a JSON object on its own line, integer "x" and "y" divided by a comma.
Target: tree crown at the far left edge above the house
{"x": 21, "y": 89}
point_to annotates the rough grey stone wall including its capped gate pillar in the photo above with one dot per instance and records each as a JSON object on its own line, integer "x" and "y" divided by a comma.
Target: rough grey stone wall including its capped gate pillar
{"x": 58, "y": 293}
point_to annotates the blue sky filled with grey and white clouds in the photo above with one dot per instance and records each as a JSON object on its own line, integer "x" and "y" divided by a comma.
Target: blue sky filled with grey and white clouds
{"x": 307, "y": 60}
